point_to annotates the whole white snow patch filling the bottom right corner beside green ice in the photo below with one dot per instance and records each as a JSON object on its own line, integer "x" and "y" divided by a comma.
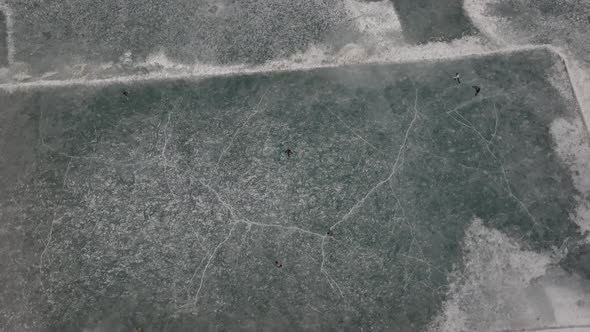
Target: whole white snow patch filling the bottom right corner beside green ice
{"x": 503, "y": 287}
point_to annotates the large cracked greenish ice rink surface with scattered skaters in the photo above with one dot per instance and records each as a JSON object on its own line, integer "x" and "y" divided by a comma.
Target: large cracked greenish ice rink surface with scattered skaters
{"x": 172, "y": 205}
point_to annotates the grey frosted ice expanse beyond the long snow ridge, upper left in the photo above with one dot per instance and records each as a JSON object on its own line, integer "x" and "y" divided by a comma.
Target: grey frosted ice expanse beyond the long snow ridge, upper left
{"x": 53, "y": 34}
